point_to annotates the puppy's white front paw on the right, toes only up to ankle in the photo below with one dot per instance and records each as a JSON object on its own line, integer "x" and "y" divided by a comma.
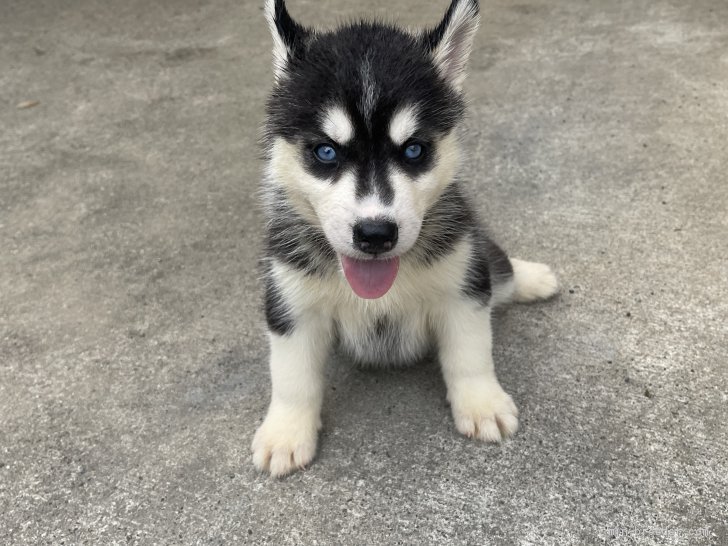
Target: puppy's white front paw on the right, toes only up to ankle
{"x": 483, "y": 410}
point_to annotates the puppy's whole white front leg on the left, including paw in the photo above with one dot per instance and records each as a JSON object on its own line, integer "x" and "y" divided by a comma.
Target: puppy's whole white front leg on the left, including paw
{"x": 287, "y": 438}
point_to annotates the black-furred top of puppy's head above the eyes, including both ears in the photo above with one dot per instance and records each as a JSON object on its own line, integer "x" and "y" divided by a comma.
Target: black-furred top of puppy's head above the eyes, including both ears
{"x": 371, "y": 68}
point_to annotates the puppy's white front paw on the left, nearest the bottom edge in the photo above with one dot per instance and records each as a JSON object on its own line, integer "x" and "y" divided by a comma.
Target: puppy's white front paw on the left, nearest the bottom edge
{"x": 286, "y": 441}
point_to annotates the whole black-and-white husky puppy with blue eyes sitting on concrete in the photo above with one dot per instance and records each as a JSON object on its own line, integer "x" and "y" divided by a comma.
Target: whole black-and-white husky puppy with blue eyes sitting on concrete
{"x": 371, "y": 245}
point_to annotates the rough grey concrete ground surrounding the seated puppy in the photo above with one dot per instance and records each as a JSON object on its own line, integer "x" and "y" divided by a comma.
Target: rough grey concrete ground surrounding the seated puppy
{"x": 133, "y": 365}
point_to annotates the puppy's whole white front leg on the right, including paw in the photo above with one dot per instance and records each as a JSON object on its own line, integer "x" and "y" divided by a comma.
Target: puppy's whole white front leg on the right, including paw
{"x": 480, "y": 406}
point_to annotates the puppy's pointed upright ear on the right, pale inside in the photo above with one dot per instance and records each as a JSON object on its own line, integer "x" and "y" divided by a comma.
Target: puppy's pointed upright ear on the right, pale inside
{"x": 450, "y": 42}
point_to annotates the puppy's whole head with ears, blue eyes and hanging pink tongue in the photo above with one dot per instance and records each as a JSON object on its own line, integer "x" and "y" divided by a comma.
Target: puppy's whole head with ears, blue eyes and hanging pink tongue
{"x": 360, "y": 131}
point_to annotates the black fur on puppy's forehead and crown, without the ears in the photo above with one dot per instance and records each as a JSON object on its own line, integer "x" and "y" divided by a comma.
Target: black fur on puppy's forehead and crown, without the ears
{"x": 370, "y": 69}
